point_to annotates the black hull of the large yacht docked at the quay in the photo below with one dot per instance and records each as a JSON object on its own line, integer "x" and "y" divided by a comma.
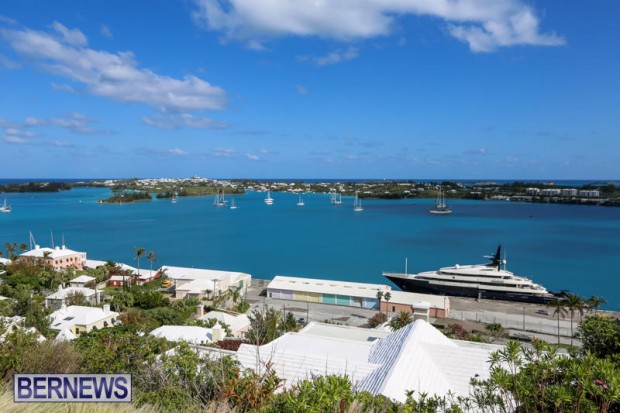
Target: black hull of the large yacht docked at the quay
{"x": 423, "y": 286}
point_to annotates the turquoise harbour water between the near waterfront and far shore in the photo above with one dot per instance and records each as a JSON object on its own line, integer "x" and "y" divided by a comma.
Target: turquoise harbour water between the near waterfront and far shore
{"x": 560, "y": 246}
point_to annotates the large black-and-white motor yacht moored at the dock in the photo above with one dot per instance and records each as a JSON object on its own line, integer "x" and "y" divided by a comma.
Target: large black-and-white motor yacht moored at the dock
{"x": 489, "y": 281}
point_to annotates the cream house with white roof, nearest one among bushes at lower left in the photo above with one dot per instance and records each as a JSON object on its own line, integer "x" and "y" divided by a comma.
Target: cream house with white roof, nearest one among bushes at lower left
{"x": 74, "y": 320}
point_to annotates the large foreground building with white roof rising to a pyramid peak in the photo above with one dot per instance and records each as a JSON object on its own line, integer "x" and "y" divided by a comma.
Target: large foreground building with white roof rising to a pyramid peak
{"x": 417, "y": 357}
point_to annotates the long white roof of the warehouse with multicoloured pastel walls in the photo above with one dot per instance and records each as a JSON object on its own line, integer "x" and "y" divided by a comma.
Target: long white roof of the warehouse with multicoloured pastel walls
{"x": 313, "y": 285}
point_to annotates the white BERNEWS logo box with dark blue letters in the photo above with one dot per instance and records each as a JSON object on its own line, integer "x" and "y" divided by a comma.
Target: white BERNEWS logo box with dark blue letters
{"x": 68, "y": 388}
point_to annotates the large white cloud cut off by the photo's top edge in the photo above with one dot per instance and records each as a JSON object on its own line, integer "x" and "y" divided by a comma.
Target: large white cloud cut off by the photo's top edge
{"x": 484, "y": 25}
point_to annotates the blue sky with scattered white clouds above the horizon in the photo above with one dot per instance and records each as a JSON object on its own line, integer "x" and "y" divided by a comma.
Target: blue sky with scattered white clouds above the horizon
{"x": 296, "y": 89}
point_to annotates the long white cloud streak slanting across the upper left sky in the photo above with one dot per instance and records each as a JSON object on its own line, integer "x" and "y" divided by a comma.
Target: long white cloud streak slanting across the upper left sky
{"x": 112, "y": 75}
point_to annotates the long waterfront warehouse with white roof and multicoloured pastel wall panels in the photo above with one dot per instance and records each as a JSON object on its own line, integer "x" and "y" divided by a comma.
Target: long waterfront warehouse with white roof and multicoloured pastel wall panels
{"x": 312, "y": 290}
